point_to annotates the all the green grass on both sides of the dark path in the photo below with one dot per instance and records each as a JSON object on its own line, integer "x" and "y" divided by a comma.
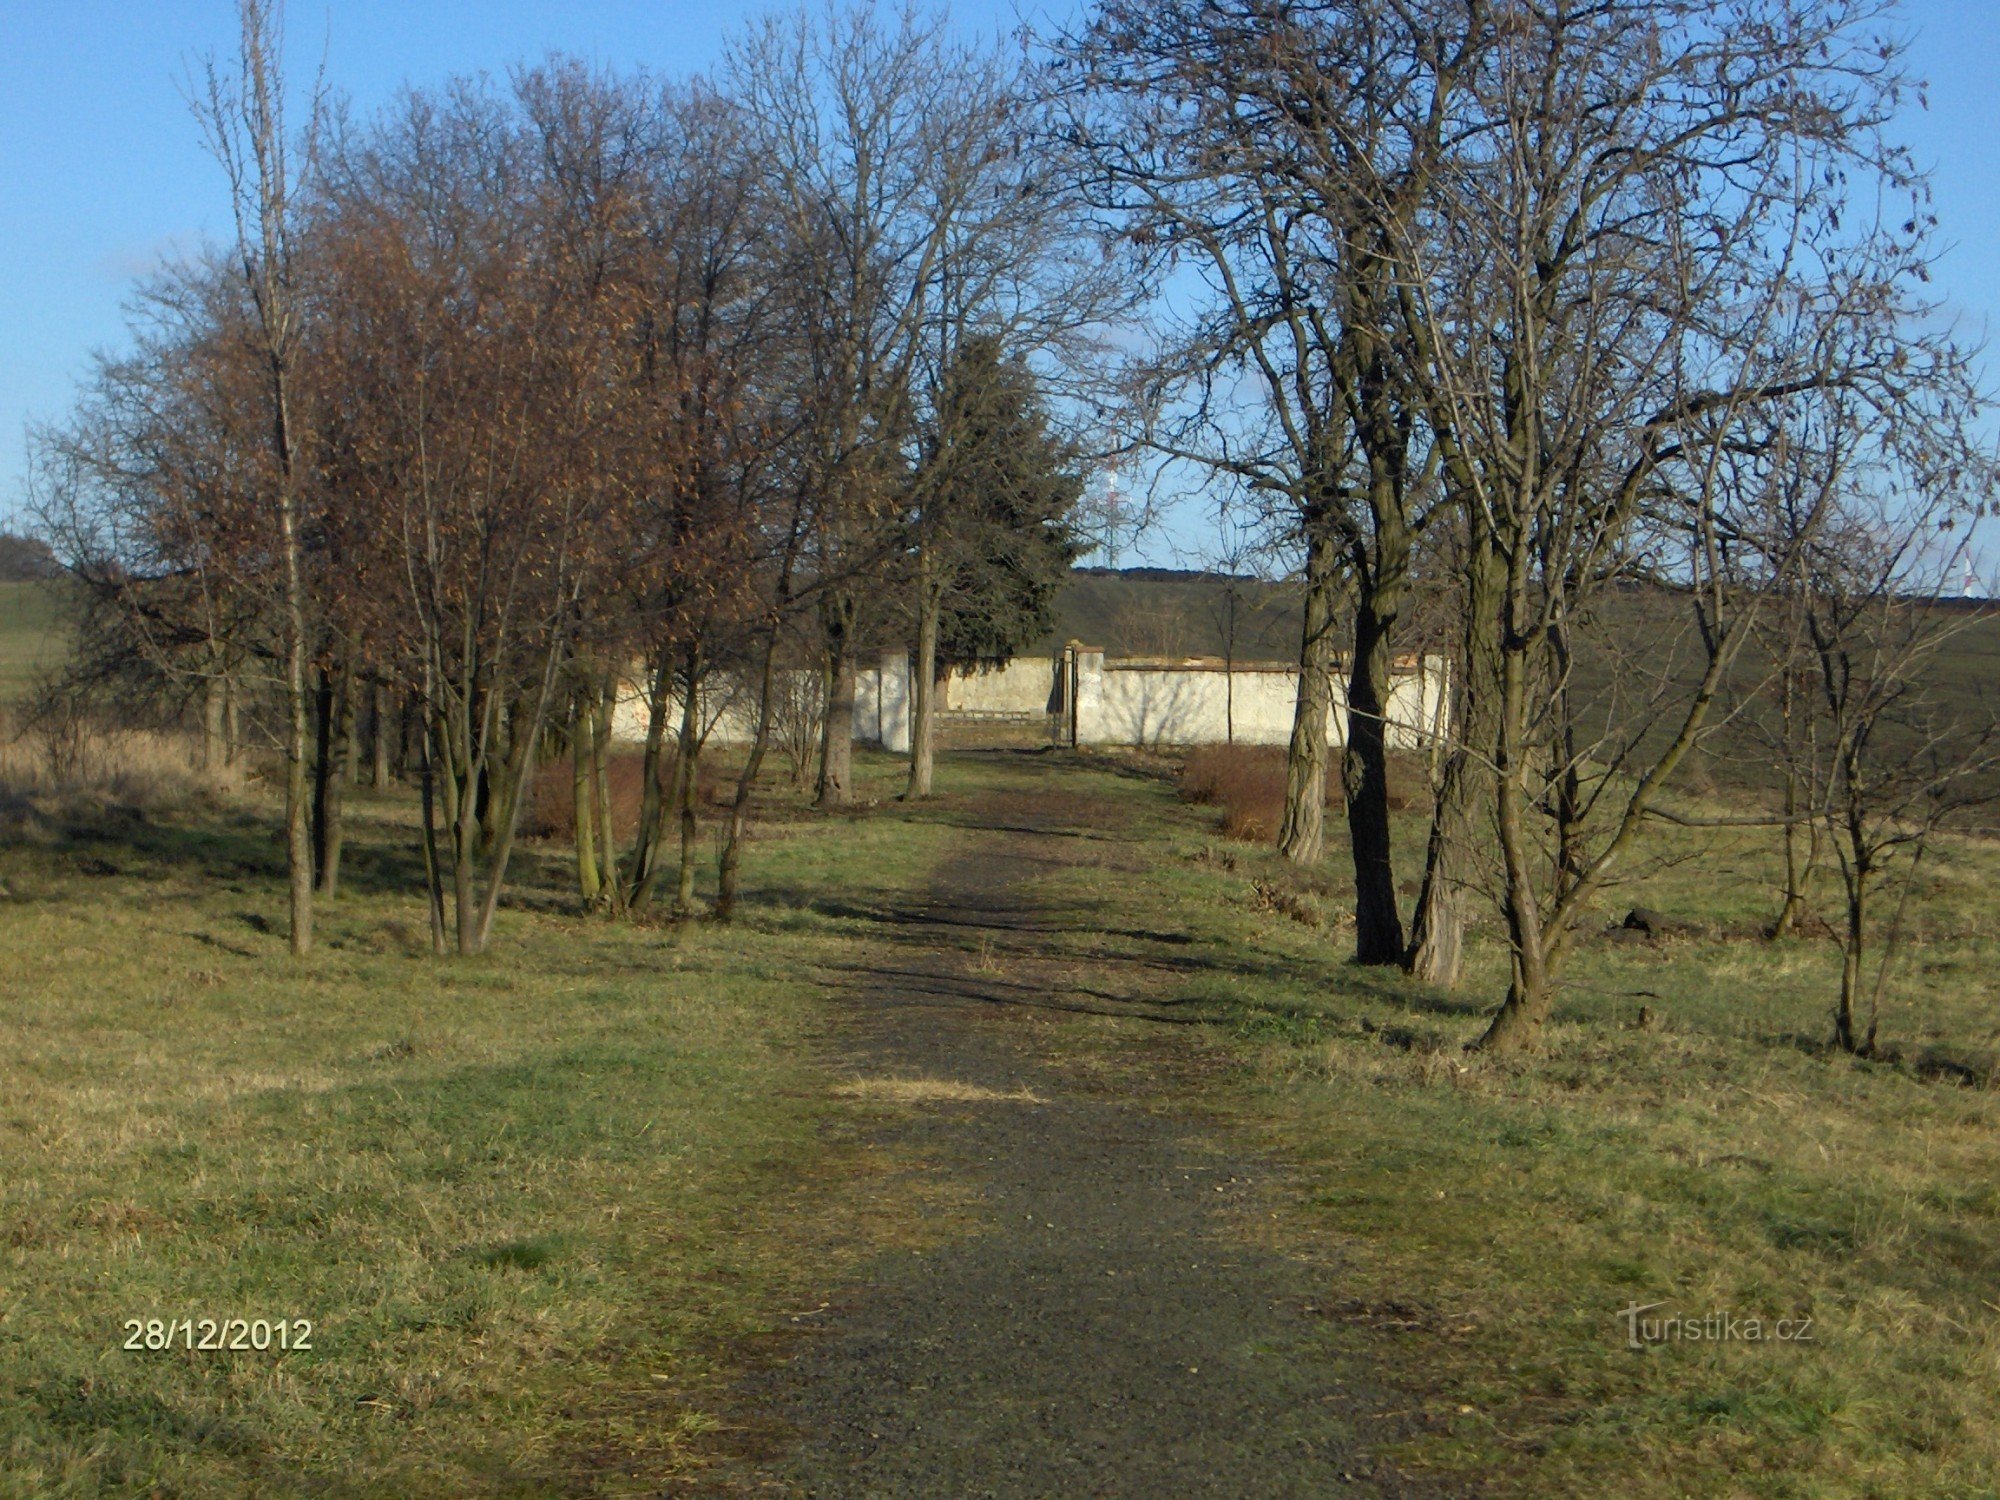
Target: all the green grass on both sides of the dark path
{"x": 537, "y": 1203}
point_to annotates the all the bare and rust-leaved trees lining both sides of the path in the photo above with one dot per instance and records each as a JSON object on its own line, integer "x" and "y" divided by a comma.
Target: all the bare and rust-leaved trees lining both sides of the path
{"x": 1477, "y": 311}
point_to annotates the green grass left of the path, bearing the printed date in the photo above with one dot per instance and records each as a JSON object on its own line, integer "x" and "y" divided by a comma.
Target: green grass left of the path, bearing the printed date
{"x": 525, "y": 1199}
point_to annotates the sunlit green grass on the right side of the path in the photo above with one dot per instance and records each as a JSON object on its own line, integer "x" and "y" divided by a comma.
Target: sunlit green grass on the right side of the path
{"x": 1487, "y": 1221}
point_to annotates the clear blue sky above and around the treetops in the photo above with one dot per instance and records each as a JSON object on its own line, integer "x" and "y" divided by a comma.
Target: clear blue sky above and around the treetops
{"x": 101, "y": 167}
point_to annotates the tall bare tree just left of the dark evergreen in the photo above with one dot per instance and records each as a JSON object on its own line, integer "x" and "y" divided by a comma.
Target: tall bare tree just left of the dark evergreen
{"x": 907, "y": 217}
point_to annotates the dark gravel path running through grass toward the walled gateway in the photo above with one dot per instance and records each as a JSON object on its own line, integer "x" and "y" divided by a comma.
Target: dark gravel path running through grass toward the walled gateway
{"x": 1107, "y": 1329}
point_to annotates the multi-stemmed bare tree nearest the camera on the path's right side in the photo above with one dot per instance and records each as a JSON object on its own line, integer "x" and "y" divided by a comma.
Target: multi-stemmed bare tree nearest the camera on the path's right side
{"x": 1659, "y": 237}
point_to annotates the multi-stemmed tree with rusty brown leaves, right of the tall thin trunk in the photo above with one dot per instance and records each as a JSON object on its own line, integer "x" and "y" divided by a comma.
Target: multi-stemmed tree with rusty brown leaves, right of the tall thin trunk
{"x": 477, "y": 337}
